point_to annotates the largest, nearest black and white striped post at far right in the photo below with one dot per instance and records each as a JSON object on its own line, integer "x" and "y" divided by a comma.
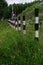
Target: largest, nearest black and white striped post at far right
{"x": 36, "y": 23}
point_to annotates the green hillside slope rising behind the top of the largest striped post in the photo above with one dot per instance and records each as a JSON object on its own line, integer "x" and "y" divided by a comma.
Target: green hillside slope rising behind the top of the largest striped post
{"x": 29, "y": 12}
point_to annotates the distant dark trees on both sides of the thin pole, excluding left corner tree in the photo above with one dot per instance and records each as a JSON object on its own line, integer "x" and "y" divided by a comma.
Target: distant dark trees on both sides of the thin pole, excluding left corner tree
{"x": 18, "y": 8}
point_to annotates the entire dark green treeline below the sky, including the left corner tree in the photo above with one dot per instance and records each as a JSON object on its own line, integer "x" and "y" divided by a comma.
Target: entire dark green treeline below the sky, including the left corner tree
{"x": 6, "y": 11}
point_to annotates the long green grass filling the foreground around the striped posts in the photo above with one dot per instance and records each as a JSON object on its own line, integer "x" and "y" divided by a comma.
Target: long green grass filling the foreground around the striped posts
{"x": 19, "y": 49}
